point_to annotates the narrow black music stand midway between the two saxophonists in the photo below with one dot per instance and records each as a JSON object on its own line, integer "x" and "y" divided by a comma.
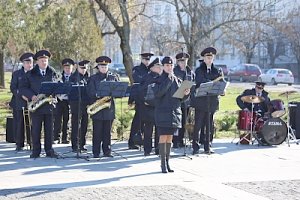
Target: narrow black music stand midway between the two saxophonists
{"x": 78, "y": 93}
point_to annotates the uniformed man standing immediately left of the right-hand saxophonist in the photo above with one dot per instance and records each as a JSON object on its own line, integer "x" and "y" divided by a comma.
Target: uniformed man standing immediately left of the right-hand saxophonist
{"x": 79, "y": 79}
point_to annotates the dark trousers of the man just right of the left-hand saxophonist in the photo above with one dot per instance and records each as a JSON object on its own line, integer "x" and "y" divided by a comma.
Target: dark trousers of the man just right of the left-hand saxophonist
{"x": 61, "y": 120}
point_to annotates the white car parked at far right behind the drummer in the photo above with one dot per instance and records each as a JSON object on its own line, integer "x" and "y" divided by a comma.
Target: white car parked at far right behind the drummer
{"x": 275, "y": 76}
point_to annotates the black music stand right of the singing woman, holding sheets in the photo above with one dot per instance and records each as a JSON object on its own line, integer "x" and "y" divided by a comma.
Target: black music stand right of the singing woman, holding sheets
{"x": 208, "y": 90}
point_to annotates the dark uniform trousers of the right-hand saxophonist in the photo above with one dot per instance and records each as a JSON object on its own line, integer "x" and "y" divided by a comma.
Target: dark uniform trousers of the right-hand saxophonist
{"x": 101, "y": 134}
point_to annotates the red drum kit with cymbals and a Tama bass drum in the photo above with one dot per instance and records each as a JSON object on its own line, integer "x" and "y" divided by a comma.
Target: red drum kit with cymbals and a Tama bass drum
{"x": 269, "y": 129}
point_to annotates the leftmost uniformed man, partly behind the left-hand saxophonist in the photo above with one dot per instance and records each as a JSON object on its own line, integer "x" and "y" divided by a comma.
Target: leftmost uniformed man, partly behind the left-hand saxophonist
{"x": 18, "y": 102}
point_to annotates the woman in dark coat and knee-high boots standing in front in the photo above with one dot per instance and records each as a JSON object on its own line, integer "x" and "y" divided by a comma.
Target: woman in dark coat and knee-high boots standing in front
{"x": 167, "y": 111}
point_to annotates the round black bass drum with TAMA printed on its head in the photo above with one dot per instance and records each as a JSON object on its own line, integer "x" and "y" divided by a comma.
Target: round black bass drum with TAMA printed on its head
{"x": 274, "y": 131}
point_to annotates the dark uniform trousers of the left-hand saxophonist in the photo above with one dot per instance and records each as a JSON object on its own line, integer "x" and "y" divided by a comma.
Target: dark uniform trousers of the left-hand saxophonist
{"x": 37, "y": 121}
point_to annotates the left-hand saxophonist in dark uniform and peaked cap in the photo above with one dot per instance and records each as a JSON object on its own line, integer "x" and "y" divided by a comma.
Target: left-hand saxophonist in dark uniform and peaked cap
{"x": 31, "y": 87}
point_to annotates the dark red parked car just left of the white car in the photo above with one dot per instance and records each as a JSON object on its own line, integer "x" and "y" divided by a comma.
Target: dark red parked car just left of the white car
{"x": 244, "y": 72}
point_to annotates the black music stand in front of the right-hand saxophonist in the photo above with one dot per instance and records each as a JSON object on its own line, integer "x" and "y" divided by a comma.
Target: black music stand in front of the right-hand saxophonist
{"x": 114, "y": 89}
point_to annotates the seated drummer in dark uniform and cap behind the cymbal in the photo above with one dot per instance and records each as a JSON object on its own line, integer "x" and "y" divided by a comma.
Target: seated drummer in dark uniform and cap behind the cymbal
{"x": 258, "y": 96}
